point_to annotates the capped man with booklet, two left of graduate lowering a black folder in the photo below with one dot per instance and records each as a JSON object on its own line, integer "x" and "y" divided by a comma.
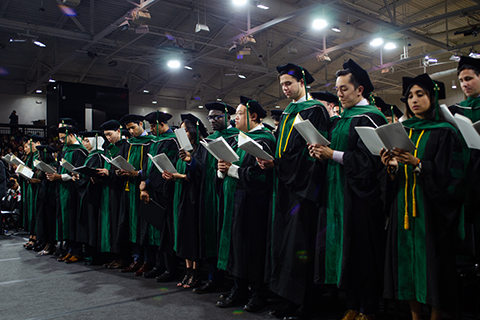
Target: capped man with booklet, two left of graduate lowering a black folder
{"x": 112, "y": 187}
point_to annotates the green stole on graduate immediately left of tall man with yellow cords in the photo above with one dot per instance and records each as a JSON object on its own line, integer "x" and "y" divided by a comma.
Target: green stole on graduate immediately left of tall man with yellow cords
{"x": 229, "y": 188}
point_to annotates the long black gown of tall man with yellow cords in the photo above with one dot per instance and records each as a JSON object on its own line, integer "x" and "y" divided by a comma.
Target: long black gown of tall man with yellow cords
{"x": 297, "y": 198}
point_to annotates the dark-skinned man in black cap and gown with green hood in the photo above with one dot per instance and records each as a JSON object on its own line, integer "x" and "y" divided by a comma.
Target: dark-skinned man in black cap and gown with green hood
{"x": 203, "y": 170}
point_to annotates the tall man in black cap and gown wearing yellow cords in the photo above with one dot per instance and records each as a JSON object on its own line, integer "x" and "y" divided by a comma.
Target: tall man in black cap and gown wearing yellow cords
{"x": 298, "y": 185}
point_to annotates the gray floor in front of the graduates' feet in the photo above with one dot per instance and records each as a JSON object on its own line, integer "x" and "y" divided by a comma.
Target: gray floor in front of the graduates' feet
{"x": 35, "y": 287}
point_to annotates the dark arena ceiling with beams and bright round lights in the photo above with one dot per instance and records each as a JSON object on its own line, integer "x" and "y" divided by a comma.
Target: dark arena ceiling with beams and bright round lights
{"x": 123, "y": 43}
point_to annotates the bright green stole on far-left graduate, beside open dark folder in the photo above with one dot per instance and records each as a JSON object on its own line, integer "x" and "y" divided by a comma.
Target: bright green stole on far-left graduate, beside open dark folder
{"x": 64, "y": 191}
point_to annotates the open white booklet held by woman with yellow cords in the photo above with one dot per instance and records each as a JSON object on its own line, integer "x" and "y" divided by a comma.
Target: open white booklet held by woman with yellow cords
{"x": 388, "y": 136}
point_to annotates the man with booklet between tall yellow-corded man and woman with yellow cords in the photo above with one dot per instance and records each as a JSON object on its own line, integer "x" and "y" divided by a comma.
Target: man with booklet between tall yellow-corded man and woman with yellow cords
{"x": 352, "y": 243}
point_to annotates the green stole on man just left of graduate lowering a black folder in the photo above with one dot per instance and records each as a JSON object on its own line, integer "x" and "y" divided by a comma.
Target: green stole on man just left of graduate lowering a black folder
{"x": 135, "y": 158}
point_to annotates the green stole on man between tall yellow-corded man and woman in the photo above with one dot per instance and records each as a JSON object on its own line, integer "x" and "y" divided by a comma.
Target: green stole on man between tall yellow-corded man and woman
{"x": 336, "y": 192}
